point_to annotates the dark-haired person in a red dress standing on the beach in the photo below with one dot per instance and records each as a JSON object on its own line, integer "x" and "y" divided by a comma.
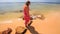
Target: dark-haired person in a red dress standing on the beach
{"x": 26, "y": 13}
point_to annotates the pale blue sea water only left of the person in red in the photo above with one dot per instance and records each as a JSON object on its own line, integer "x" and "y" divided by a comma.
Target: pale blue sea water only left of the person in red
{"x": 10, "y": 6}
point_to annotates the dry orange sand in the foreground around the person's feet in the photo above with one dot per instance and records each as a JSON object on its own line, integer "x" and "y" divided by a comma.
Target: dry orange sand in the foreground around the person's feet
{"x": 50, "y": 25}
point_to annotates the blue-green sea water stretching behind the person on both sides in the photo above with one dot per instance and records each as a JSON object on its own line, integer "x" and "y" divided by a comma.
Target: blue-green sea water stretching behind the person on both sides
{"x": 14, "y": 6}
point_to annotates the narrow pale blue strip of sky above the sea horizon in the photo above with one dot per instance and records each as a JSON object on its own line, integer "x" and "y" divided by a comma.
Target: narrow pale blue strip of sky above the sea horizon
{"x": 30, "y": 0}
